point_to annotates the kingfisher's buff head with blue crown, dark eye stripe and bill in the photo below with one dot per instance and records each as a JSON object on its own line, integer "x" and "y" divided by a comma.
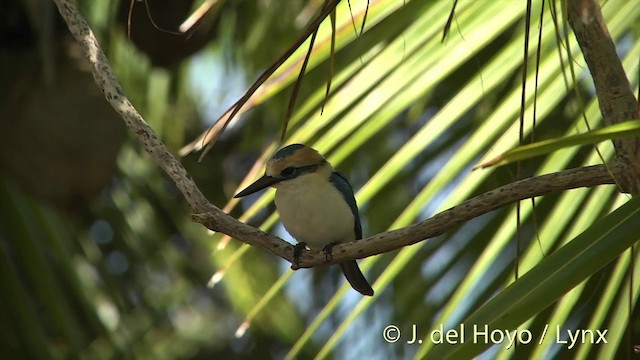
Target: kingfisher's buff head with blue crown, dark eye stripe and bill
{"x": 292, "y": 163}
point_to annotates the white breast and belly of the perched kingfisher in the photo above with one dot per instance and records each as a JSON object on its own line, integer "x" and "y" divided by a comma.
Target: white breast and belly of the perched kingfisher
{"x": 314, "y": 212}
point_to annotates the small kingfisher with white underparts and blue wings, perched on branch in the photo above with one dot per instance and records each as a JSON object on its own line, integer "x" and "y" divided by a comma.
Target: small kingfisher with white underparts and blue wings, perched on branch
{"x": 315, "y": 203}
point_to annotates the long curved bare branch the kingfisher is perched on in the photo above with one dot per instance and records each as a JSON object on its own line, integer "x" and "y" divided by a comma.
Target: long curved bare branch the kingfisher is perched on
{"x": 217, "y": 220}
